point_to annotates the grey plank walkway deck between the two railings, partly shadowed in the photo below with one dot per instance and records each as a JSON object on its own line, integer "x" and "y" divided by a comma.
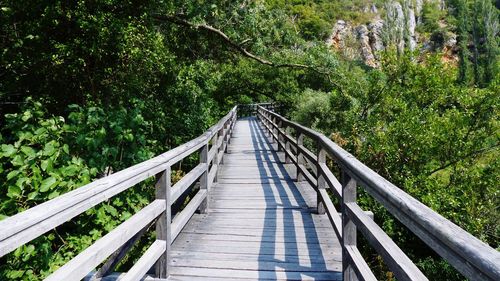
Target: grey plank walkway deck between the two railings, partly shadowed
{"x": 261, "y": 225}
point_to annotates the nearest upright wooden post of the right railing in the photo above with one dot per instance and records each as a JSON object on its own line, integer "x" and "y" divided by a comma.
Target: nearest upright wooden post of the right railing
{"x": 348, "y": 226}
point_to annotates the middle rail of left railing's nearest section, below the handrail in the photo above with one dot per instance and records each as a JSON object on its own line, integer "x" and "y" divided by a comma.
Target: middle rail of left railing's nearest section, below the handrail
{"x": 83, "y": 263}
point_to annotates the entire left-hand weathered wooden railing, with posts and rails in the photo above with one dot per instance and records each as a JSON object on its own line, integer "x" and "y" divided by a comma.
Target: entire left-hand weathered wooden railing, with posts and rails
{"x": 32, "y": 223}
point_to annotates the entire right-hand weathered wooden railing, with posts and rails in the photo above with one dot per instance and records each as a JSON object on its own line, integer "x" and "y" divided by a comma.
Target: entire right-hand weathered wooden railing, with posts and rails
{"x": 470, "y": 256}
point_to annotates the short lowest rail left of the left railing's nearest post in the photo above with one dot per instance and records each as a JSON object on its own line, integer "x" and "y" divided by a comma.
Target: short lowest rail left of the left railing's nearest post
{"x": 146, "y": 261}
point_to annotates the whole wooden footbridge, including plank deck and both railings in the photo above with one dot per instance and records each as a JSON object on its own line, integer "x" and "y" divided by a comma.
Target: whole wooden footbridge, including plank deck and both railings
{"x": 259, "y": 208}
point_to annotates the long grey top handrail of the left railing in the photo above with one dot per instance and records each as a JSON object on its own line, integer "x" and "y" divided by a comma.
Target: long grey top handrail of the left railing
{"x": 25, "y": 226}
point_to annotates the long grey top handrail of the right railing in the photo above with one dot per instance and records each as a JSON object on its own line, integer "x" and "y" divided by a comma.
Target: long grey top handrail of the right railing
{"x": 470, "y": 256}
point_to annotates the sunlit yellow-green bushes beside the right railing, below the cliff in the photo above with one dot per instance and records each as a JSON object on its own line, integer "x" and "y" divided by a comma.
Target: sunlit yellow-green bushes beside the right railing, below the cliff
{"x": 436, "y": 140}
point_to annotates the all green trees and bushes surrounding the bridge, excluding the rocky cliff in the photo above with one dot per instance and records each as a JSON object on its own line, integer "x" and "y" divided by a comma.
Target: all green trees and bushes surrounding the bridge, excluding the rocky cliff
{"x": 91, "y": 87}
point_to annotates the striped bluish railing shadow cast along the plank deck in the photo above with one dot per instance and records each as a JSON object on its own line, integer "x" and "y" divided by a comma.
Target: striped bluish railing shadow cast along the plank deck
{"x": 275, "y": 175}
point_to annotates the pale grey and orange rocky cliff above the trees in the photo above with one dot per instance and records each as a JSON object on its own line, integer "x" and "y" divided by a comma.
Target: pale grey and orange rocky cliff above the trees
{"x": 397, "y": 28}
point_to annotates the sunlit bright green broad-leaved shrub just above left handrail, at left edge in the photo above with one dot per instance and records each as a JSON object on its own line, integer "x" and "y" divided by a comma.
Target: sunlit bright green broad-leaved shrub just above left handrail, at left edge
{"x": 36, "y": 161}
